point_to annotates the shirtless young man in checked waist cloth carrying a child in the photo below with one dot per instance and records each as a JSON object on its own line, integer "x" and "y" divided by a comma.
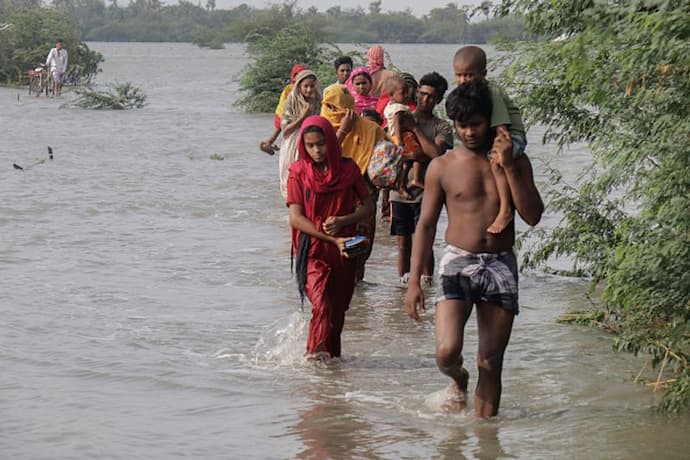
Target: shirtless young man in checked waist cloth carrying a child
{"x": 477, "y": 267}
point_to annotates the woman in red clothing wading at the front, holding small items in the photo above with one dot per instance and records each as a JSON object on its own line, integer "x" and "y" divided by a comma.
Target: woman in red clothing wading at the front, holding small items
{"x": 324, "y": 195}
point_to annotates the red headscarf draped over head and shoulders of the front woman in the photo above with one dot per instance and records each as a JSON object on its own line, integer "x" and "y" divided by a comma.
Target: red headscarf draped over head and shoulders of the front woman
{"x": 341, "y": 173}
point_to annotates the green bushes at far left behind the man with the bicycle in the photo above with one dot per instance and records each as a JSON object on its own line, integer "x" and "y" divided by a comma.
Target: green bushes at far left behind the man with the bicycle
{"x": 29, "y": 36}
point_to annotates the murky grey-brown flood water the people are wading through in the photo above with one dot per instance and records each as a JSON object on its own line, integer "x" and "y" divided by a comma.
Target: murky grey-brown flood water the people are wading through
{"x": 148, "y": 309}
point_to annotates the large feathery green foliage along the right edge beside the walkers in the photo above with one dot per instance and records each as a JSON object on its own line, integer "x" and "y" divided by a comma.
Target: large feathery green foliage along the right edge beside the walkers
{"x": 617, "y": 77}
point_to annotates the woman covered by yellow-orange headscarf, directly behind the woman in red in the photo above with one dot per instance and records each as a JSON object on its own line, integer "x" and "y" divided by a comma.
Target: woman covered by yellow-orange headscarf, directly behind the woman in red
{"x": 357, "y": 137}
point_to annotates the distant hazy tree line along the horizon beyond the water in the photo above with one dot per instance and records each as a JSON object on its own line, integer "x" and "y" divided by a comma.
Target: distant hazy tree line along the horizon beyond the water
{"x": 152, "y": 21}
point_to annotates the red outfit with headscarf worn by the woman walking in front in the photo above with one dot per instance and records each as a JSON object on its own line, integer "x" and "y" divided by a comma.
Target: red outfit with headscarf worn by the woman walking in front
{"x": 329, "y": 278}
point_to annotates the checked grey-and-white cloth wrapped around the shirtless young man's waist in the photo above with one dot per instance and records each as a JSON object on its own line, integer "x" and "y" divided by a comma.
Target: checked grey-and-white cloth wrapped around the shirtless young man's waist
{"x": 479, "y": 277}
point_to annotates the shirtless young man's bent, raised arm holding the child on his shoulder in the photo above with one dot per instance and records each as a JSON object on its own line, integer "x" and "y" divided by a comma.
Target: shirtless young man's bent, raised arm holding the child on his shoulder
{"x": 523, "y": 191}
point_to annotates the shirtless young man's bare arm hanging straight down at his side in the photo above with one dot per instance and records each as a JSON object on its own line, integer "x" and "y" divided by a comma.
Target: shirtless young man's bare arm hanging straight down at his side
{"x": 434, "y": 198}
